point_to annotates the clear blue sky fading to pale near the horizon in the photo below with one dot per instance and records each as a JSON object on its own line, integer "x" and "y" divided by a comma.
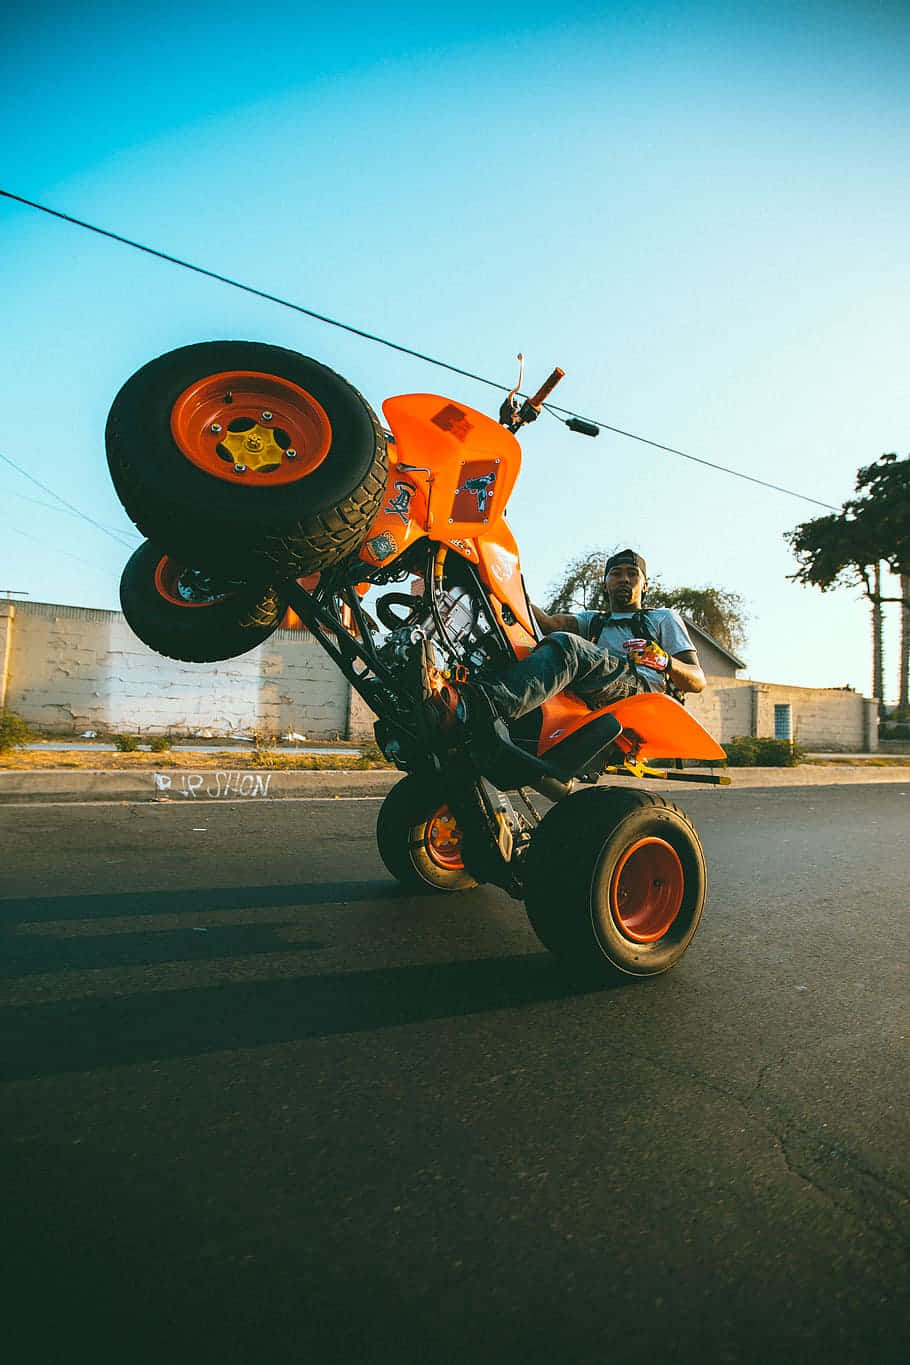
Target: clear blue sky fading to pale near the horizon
{"x": 698, "y": 211}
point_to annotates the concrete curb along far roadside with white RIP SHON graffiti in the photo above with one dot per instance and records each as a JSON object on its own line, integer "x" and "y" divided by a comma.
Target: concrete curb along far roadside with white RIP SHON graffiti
{"x": 53, "y": 786}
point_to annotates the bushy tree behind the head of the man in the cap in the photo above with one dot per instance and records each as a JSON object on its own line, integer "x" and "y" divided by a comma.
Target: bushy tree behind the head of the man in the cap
{"x": 717, "y": 611}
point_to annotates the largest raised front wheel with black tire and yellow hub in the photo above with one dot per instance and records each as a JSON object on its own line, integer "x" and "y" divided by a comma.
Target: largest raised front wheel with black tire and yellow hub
{"x": 177, "y": 435}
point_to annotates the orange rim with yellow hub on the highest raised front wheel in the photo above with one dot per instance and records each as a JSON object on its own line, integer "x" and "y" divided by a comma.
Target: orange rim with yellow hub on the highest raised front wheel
{"x": 254, "y": 429}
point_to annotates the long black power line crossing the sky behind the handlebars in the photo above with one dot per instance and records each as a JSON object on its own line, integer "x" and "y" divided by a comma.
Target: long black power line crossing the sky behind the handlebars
{"x": 394, "y": 346}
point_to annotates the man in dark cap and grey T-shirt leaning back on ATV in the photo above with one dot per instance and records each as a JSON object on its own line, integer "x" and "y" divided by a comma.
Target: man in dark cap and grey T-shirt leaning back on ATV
{"x": 602, "y": 657}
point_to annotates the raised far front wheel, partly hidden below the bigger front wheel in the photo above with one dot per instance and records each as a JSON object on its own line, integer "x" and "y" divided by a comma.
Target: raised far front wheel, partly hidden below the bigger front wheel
{"x": 186, "y": 615}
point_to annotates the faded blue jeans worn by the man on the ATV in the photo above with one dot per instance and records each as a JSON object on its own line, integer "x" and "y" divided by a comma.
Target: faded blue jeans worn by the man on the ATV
{"x": 561, "y": 661}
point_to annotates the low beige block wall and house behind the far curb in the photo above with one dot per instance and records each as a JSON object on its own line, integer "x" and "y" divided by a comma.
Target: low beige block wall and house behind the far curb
{"x": 72, "y": 670}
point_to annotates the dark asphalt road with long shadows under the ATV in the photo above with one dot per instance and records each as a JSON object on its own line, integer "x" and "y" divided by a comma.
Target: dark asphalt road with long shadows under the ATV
{"x": 265, "y": 1109}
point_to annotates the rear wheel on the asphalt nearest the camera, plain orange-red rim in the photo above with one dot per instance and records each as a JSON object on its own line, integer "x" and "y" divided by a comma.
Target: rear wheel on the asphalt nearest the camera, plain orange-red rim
{"x": 616, "y": 882}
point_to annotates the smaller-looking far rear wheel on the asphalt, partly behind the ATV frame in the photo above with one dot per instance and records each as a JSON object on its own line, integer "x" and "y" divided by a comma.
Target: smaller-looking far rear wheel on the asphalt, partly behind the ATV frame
{"x": 420, "y": 840}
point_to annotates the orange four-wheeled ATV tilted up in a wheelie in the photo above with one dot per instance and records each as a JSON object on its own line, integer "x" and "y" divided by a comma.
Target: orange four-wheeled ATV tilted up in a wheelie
{"x": 264, "y": 481}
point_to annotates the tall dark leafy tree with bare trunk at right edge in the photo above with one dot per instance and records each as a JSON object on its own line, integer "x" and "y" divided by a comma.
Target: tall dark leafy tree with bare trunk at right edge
{"x": 848, "y": 548}
